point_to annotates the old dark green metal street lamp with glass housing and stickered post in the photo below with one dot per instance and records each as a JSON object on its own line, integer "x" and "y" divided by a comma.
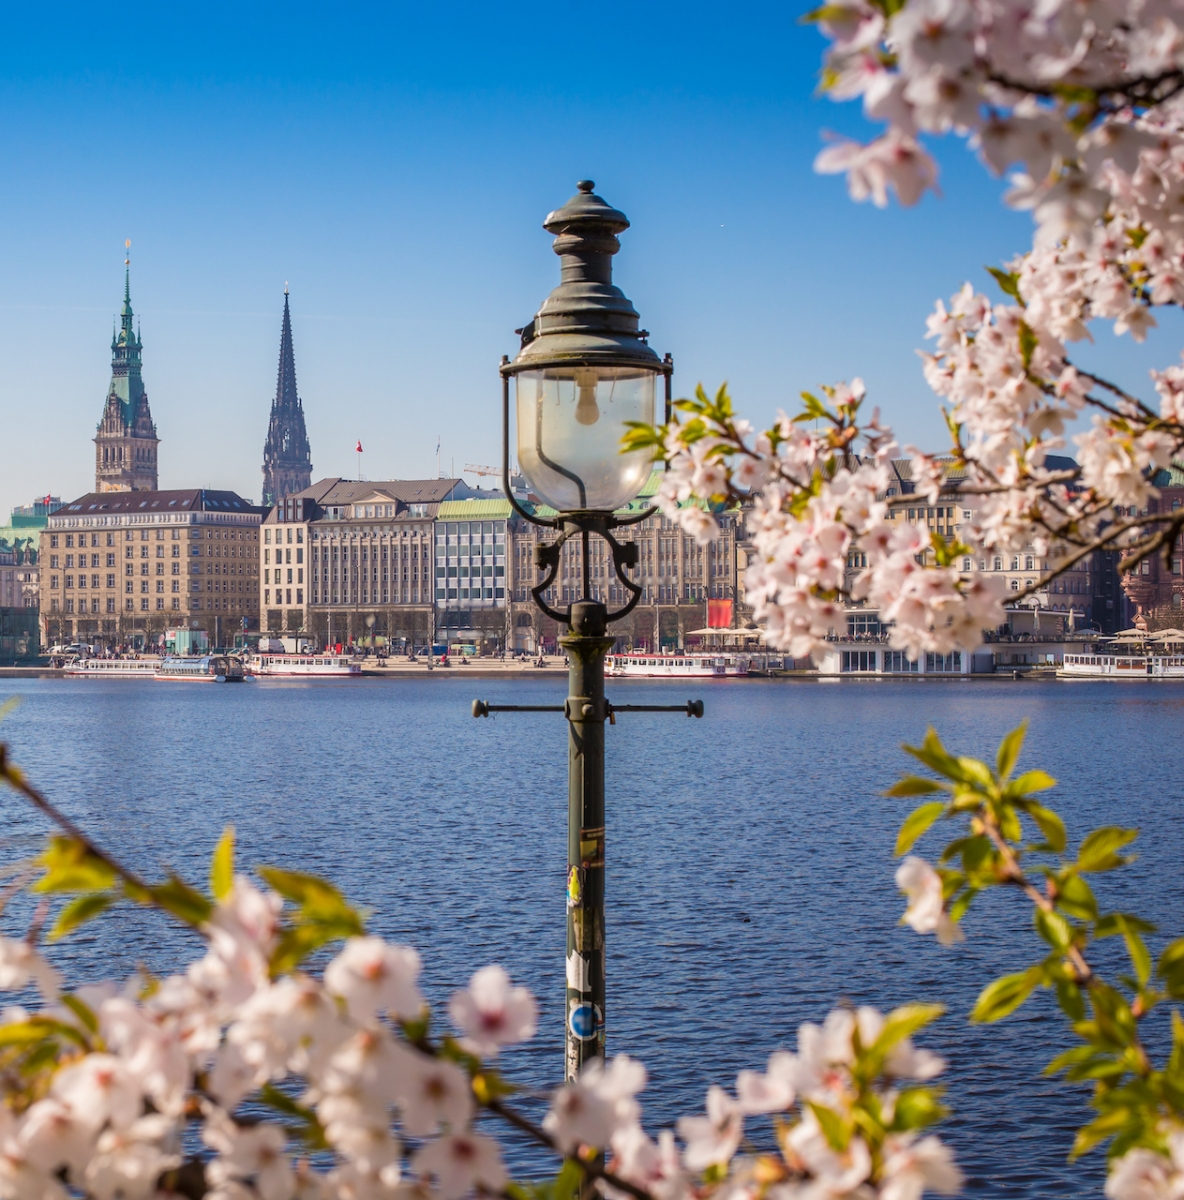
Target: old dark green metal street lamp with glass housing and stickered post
{"x": 584, "y": 370}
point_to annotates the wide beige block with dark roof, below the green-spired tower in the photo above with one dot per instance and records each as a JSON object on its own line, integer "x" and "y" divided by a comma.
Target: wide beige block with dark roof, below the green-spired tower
{"x": 123, "y": 568}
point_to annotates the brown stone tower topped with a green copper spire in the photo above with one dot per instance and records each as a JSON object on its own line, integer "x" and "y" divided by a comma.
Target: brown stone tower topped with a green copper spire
{"x": 127, "y": 442}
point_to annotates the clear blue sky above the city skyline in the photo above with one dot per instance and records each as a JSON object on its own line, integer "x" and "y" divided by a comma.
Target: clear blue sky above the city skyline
{"x": 394, "y": 164}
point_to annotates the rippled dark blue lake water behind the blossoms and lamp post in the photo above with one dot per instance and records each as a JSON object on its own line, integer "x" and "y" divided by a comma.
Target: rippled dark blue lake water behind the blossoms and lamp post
{"x": 750, "y": 871}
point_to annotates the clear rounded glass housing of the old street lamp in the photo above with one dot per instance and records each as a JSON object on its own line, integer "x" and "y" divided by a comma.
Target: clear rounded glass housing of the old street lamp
{"x": 572, "y": 422}
